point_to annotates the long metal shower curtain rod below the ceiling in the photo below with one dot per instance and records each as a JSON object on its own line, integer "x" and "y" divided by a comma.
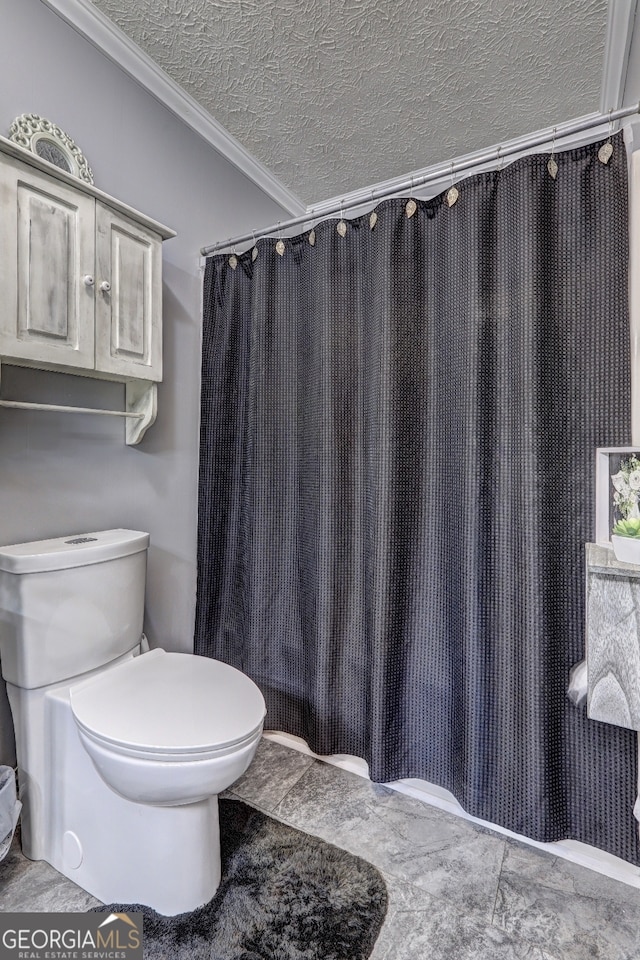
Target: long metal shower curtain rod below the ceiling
{"x": 435, "y": 173}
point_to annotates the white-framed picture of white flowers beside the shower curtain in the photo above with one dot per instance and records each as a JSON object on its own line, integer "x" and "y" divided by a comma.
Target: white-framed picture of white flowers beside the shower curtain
{"x": 617, "y": 488}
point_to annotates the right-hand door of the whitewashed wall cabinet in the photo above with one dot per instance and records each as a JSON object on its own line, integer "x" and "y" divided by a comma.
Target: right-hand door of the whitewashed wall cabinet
{"x": 128, "y": 297}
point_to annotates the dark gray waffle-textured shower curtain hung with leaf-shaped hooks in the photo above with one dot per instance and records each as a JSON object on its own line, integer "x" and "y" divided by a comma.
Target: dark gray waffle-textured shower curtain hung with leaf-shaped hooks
{"x": 397, "y": 465}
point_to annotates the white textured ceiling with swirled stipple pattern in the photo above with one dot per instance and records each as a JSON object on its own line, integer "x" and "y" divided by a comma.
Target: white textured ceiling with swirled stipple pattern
{"x": 333, "y": 95}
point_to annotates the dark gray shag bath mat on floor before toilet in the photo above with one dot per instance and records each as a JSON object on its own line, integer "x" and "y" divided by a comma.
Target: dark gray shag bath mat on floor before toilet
{"x": 283, "y": 896}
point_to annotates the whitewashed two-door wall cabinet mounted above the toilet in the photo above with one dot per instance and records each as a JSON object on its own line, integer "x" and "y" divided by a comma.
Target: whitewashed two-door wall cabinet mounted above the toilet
{"x": 80, "y": 282}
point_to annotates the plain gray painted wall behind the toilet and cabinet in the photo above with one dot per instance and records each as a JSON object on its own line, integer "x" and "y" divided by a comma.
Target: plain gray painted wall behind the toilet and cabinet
{"x": 62, "y": 474}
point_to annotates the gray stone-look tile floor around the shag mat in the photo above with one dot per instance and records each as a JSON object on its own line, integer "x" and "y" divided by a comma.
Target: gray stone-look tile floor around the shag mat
{"x": 456, "y": 890}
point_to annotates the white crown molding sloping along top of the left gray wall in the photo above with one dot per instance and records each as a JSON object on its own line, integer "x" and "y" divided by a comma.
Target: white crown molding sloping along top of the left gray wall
{"x": 92, "y": 24}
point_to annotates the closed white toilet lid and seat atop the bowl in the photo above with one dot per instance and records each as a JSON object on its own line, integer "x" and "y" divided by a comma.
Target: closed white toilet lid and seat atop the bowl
{"x": 169, "y": 706}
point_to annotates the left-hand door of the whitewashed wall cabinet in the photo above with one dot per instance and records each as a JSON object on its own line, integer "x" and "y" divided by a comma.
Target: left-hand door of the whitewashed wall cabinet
{"x": 47, "y": 260}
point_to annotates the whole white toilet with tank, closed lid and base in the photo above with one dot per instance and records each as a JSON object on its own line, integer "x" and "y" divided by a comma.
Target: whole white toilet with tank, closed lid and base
{"x": 120, "y": 755}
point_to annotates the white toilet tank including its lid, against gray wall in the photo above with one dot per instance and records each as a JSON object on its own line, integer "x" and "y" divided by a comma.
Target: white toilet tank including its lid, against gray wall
{"x": 70, "y": 605}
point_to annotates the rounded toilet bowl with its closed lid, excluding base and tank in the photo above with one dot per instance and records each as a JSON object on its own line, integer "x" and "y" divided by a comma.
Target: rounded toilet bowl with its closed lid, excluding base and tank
{"x": 169, "y": 728}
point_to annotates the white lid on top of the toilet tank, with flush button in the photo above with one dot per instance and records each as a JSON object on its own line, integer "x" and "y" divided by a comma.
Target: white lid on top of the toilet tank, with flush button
{"x": 75, "y": 550}
